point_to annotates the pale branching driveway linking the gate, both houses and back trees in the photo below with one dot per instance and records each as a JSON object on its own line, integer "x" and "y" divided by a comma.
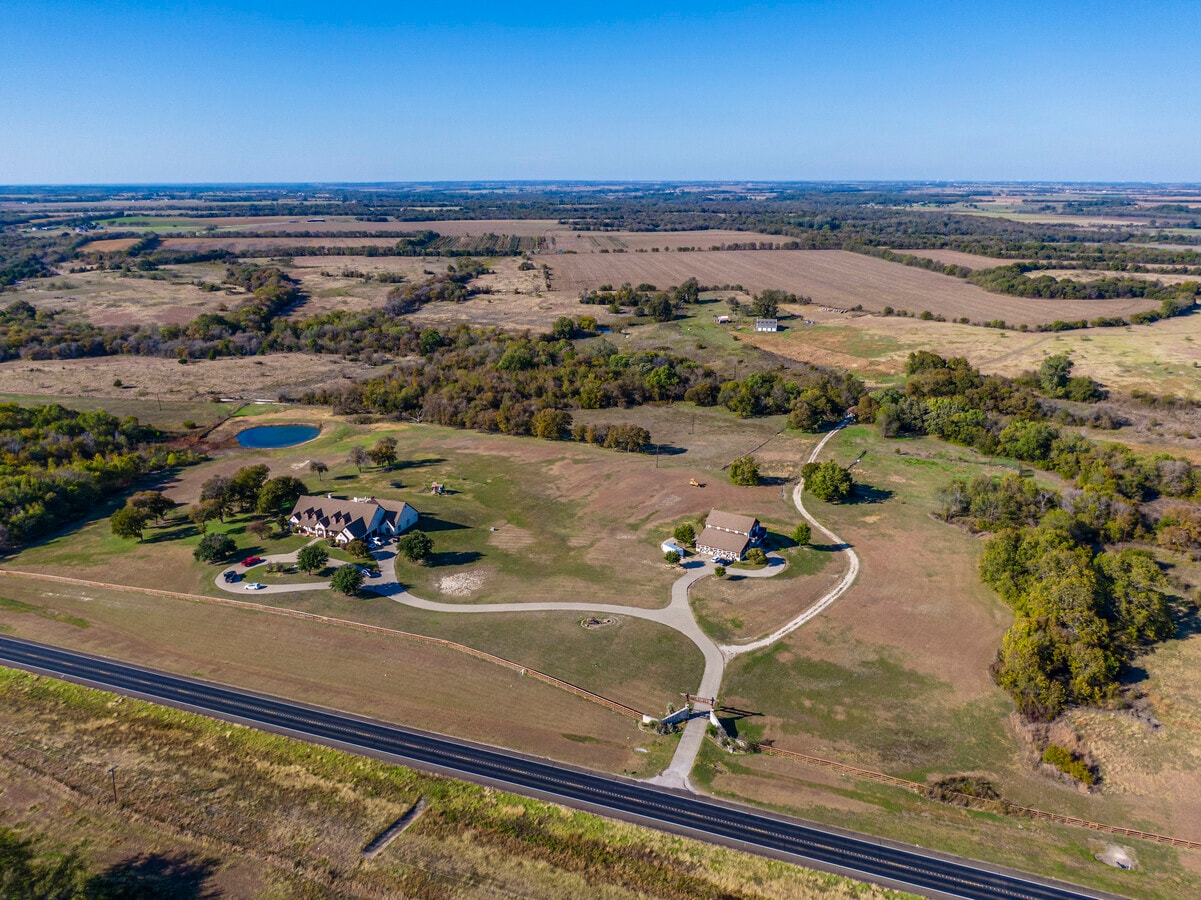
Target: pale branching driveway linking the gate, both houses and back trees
{"x": 678, "y": 615}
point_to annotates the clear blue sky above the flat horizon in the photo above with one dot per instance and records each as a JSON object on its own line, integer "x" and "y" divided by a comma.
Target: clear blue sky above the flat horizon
{"x": 112, "y": 92}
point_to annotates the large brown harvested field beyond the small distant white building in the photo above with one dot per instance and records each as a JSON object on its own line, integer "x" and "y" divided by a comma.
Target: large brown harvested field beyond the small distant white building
{"x": 833, "y": 278}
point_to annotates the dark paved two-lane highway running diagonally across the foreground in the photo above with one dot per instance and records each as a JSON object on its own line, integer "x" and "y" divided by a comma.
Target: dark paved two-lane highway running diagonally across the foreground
{"x": 862, "y": 857}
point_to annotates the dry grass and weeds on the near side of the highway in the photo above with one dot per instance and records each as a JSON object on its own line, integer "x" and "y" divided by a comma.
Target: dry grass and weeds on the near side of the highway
{"x": 265, "y": 816}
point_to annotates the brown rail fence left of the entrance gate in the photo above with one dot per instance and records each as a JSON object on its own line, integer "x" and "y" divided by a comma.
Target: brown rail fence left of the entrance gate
{"x": 584, "y": 694}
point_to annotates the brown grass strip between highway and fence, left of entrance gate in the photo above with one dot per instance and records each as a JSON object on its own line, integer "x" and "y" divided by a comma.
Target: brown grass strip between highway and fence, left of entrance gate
{"x": 397, "y": 681}
